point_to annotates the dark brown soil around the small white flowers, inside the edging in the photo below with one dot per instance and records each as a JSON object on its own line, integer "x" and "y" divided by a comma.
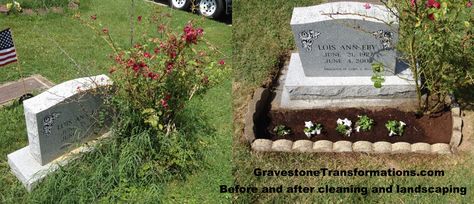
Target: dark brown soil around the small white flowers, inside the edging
{"x": 419, "y": 129}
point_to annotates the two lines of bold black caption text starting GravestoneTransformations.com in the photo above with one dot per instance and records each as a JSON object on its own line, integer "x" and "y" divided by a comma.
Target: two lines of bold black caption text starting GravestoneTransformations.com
{"x": 348, "y": 188}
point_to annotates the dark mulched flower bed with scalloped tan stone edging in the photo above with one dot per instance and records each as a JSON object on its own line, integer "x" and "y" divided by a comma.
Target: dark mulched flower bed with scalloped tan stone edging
{"x": 439, "y": 135}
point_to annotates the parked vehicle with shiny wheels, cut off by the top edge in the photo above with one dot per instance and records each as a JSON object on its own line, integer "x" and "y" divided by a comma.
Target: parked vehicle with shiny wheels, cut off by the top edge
{"x": 207, "y": 8}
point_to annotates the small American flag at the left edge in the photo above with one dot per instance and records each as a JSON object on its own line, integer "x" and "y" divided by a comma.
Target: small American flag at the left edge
{"x": 7, "y": 49}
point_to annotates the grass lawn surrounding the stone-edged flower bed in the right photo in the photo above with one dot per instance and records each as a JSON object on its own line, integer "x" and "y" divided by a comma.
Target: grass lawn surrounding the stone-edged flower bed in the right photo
{"x": 258, "y": 55}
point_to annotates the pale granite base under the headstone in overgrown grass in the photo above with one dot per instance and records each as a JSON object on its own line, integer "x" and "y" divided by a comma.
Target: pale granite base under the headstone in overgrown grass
{"x": 30, "y": 172}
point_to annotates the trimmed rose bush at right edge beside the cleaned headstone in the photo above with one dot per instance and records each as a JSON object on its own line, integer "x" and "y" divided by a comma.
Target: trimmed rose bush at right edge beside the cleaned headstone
{"x": 436, "y": 38}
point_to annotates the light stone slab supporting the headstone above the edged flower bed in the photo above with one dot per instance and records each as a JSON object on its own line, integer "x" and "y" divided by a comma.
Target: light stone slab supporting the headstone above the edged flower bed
{"x": 295, "y": 79}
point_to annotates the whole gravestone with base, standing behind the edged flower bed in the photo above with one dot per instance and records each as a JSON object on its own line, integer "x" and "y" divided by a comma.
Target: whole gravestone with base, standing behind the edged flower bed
{"x": 337, "y": 45}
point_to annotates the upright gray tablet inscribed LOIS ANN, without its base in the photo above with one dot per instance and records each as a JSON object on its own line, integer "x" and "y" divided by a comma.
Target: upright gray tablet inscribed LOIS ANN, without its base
{"x": 345, "y": 38}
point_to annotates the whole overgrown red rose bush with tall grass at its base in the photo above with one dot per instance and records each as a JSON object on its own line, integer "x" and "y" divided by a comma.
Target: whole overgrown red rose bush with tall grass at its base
{"x": 154, "y": 79}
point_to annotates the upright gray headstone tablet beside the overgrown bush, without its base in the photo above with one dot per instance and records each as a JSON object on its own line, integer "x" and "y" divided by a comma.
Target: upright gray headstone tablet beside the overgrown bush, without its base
{"x": 64, "y": 115}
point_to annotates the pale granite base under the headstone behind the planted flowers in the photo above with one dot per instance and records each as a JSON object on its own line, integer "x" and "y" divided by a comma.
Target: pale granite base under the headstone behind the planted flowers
{"x": 302, "y": 92}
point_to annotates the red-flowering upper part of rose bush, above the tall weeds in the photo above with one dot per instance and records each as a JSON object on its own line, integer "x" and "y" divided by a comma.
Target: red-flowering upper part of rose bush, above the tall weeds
{"x": 156, "y": 78}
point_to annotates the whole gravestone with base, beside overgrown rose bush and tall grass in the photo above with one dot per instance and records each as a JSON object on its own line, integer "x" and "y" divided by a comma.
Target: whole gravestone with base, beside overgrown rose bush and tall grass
{"x": 56, "y": 121}
